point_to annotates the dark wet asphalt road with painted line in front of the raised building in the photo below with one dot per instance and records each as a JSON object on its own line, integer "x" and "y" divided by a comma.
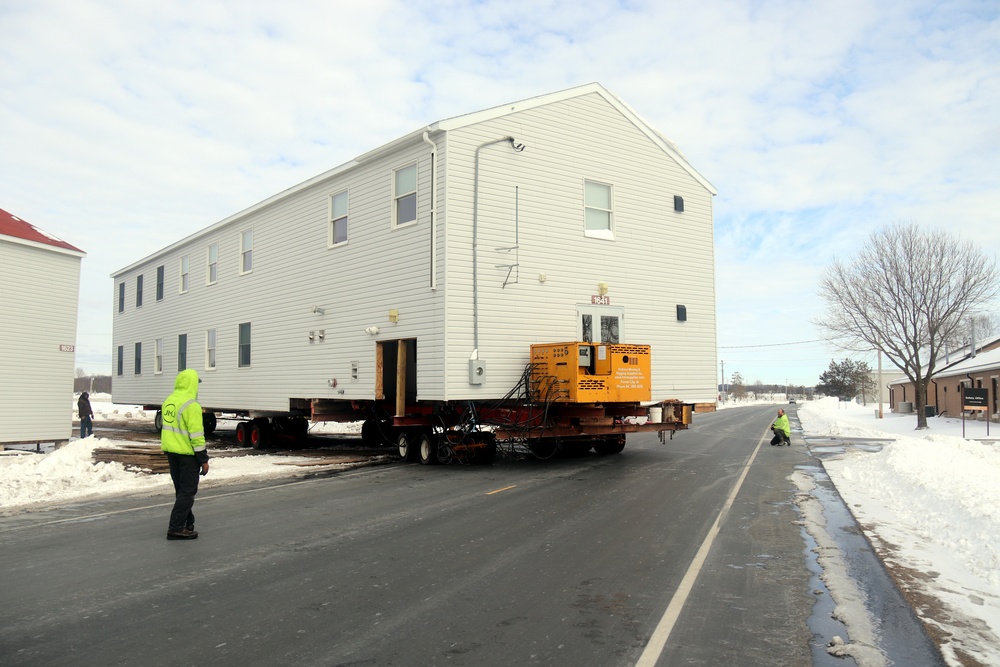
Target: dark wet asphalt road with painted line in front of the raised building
{"x": 561, "y": 562}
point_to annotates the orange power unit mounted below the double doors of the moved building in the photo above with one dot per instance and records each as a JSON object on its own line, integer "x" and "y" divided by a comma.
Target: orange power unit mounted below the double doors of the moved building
{"x": 590, "y": 373}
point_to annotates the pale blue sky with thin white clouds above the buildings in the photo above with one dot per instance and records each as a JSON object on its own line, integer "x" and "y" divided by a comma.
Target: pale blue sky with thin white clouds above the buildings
{"x": 126, "y": 126}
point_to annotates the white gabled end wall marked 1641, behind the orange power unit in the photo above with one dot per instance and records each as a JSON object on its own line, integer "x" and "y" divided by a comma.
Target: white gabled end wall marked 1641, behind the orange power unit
{"x": 658, "y": 259}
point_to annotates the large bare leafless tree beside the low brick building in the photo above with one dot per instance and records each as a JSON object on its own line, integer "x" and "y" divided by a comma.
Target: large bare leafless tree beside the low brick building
{"x": 906, "y": 294}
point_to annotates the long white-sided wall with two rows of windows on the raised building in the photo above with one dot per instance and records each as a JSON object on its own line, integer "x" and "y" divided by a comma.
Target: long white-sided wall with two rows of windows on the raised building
{"x": 380, "y": 268}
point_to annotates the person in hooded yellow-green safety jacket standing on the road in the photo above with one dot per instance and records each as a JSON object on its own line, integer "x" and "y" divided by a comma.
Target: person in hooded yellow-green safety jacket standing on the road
{"x": 182, "y": 438}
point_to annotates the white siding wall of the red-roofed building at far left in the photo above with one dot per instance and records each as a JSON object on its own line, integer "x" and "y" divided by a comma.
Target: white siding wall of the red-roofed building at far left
{"x": 38, "y": 312}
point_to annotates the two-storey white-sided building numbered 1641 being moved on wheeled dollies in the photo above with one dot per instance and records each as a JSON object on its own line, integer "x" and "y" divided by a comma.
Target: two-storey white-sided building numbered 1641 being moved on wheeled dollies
{"x": 564, "y": 217}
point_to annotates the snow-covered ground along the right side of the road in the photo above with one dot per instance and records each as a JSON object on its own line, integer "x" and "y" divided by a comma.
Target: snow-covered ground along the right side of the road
{"x": 930, "y": 502}
